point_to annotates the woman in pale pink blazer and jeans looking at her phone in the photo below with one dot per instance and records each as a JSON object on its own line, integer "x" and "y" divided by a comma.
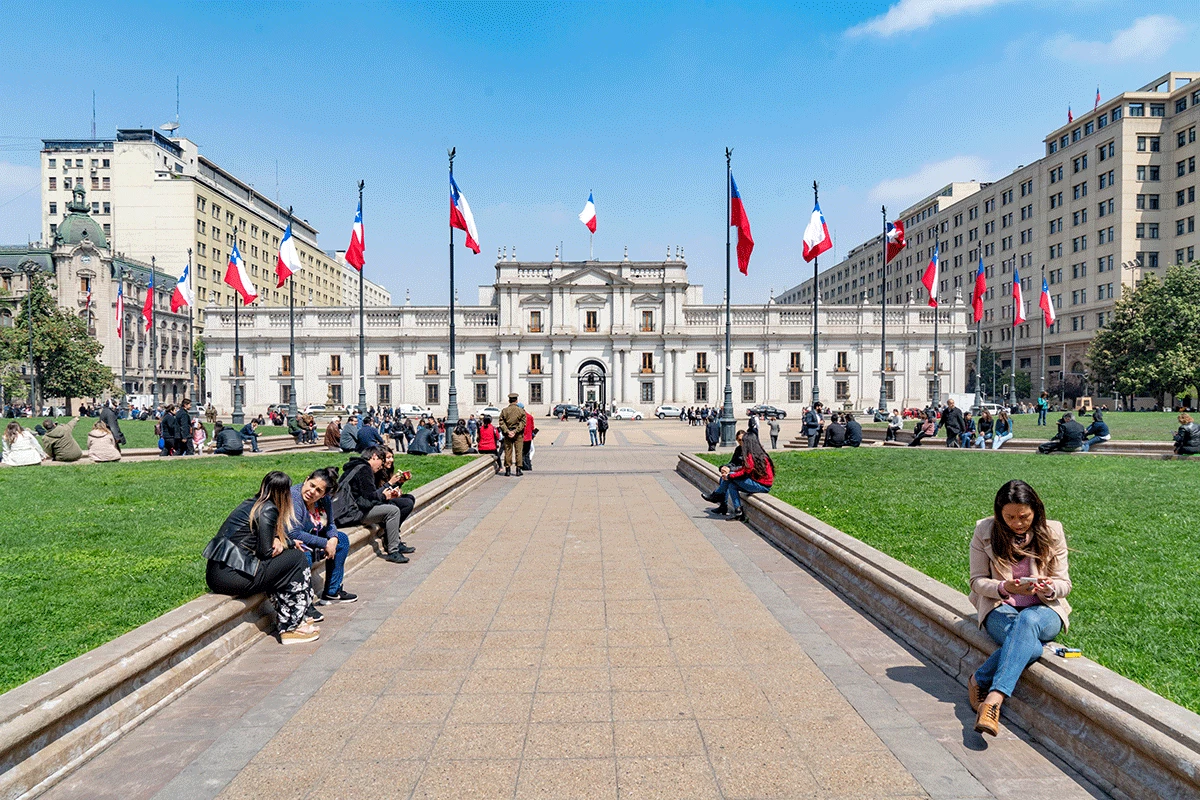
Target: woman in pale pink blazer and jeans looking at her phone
{"x": 1019, "y": 586}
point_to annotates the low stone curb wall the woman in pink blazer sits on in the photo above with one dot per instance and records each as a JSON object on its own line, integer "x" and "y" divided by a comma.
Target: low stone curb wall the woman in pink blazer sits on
{"x": 1126, "y": 739}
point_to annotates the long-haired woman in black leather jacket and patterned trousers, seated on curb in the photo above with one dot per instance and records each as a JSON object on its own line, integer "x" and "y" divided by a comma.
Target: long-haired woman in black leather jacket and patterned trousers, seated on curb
{"x": 253, "y": 554}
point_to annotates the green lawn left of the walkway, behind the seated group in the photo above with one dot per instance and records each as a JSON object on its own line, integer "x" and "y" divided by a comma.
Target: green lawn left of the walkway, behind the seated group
{"x": 89, "y": 552}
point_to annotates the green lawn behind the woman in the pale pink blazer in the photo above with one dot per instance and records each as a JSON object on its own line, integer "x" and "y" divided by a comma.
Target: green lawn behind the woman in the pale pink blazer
{"x": 1135, "y": 562}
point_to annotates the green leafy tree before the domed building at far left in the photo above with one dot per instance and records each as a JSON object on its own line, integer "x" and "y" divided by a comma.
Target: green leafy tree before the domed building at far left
{"x": 65, "y": 357}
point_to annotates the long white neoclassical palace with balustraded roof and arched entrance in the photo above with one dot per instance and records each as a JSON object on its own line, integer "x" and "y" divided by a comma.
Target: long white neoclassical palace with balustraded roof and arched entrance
{"x": 611, "y": 333}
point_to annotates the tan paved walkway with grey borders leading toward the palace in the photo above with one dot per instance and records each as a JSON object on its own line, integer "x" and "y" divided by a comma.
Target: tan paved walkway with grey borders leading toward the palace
{"x": 587, "y": 631}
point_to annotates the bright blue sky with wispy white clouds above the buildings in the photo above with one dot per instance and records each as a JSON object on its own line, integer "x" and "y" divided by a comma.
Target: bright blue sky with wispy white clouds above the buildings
{"x": 881, "y": 103}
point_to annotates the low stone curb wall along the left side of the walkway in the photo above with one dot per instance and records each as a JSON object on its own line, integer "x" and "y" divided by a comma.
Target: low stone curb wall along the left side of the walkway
{"x": 56, "y": 723}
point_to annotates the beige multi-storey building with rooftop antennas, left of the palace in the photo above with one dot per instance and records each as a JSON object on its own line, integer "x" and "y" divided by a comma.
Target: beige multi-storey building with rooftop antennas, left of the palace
{"x": 158, "y": 197}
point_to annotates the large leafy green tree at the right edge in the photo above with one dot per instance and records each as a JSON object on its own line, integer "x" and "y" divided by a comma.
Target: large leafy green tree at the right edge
{"x": 1153, "y": 345}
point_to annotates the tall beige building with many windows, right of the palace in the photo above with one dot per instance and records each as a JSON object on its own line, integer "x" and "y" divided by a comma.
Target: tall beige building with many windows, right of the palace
{"x": 1112, "y": 199}
